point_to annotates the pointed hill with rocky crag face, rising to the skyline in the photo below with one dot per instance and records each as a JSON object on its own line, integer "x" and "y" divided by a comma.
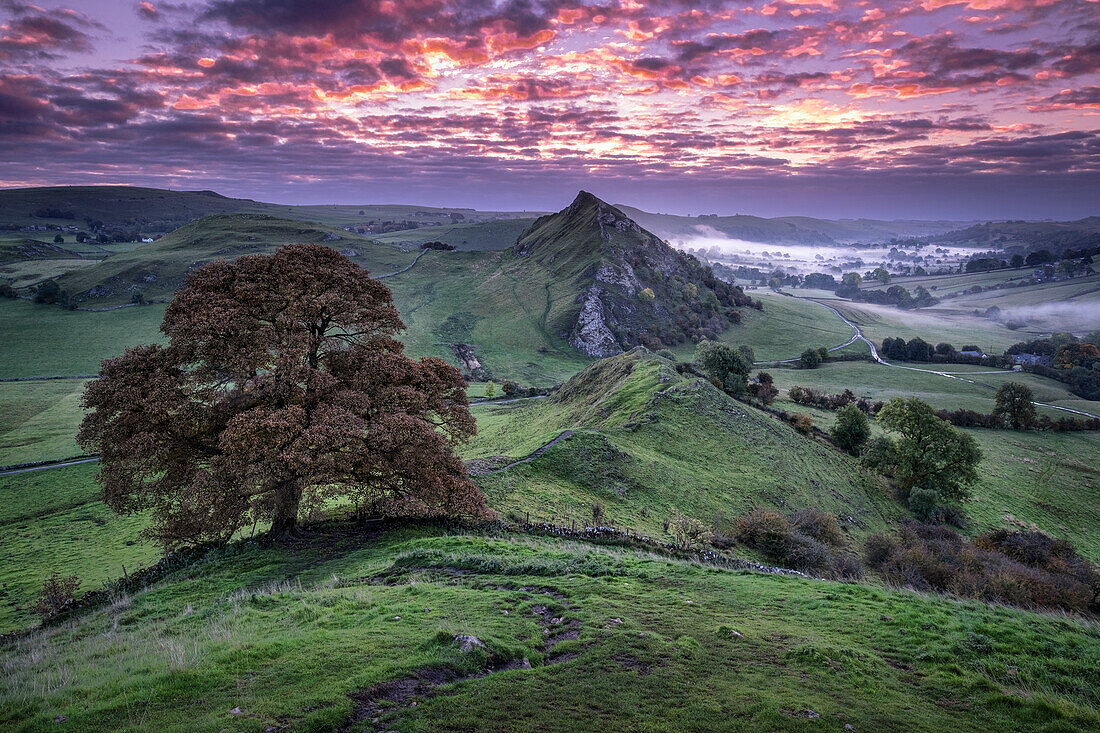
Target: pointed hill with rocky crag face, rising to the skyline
{"x": 633, "y": 289}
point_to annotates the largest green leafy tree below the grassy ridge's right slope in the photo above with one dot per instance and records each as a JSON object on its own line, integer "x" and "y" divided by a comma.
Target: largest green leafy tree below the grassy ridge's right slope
{"x": 929, "y": 453}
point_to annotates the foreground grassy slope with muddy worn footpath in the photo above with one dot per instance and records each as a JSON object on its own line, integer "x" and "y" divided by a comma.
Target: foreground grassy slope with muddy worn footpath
{"x": 359, "y": 631}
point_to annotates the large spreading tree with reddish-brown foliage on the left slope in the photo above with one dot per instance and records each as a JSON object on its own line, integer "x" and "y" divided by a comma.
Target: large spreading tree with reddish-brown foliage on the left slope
{"x": 282, "y": 378}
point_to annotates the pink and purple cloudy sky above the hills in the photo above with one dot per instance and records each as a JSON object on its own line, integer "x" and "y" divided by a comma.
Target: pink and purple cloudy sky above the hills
{"x": 922, "y": 110}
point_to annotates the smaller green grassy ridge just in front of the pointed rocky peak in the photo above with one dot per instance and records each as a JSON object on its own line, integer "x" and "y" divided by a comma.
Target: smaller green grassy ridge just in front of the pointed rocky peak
{"x": 647, "y": 441}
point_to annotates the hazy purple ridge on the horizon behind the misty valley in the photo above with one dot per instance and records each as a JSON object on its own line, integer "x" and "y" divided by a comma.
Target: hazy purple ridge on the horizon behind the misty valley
{"x": 787, "y": 231}
